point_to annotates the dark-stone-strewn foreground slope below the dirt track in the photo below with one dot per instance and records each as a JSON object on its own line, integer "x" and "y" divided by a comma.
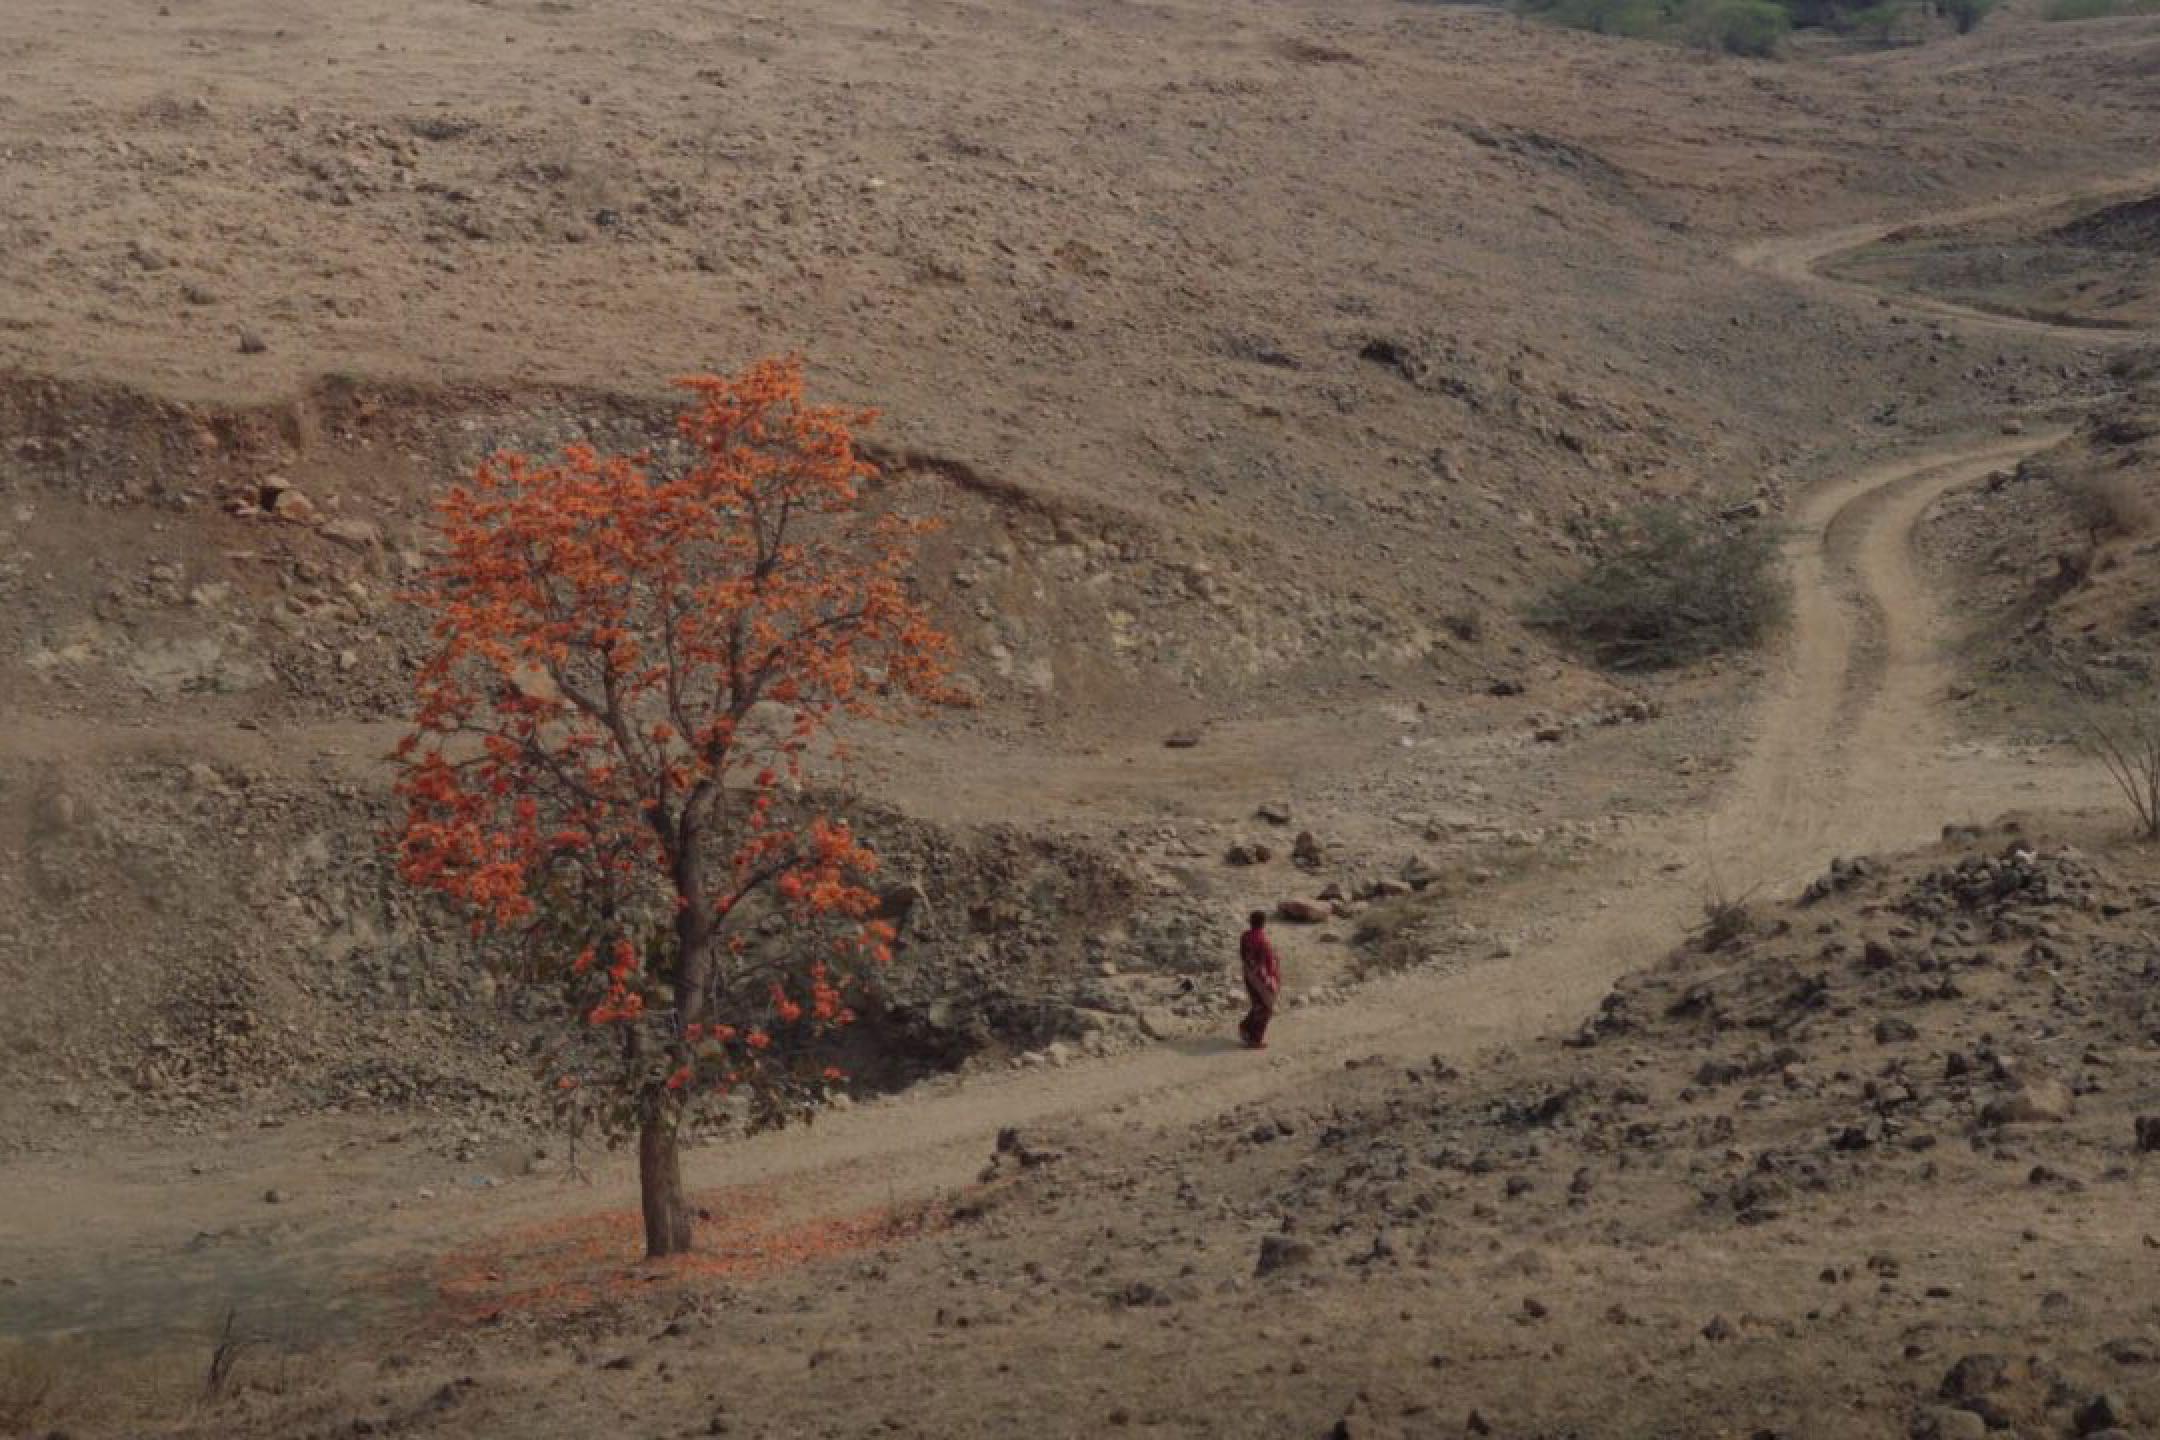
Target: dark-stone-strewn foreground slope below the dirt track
{"x": 1876, "y": 1160}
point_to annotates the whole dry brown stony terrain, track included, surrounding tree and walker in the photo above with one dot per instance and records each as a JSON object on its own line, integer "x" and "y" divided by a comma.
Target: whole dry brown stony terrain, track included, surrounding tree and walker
{"x": 1263, "y": 366}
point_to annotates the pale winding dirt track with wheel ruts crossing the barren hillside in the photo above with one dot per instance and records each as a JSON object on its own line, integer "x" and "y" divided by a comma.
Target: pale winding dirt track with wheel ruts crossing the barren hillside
{"x": 1848, "y": 755}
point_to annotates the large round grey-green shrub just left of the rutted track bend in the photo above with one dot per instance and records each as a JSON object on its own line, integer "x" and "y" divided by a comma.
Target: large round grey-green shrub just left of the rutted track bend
{"x": 1669, "y": 586}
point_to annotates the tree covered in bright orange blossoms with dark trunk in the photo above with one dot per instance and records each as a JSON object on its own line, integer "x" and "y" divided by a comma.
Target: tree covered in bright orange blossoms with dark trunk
{"x": 634, "y": 677}
